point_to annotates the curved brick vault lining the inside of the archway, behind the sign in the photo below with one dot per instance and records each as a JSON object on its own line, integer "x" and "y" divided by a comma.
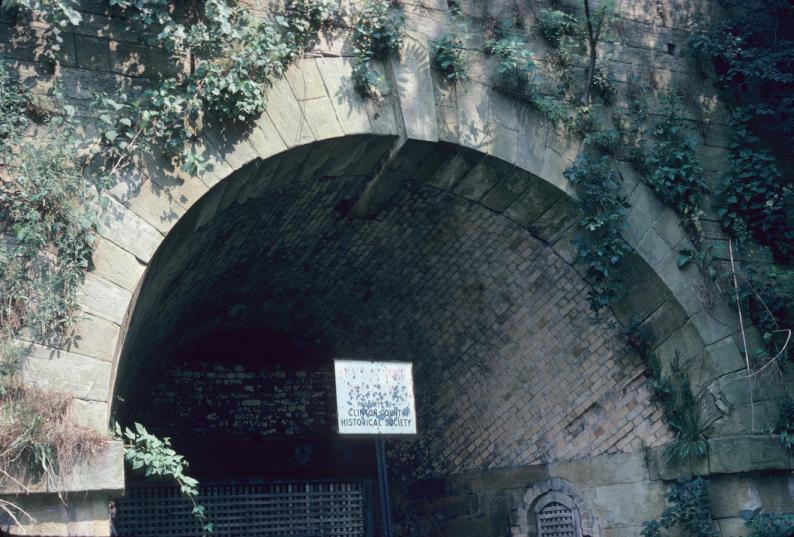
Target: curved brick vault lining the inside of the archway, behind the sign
{"x": 510, "y": 368}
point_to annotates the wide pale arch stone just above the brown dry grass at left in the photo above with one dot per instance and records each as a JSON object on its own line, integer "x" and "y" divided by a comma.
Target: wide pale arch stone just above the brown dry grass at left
{"x": 84, "y": 377}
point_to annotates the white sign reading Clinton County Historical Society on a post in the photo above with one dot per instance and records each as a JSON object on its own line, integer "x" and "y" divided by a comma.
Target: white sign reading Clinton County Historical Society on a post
{"x": 375, "y": 397}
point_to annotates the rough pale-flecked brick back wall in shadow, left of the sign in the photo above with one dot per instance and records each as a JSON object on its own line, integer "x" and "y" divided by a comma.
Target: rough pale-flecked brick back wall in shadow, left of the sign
{"x": 213, "y": 400}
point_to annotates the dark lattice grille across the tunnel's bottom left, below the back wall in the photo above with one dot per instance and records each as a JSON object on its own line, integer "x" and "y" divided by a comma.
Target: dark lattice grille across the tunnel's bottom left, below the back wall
{"x": 268, "y": 510}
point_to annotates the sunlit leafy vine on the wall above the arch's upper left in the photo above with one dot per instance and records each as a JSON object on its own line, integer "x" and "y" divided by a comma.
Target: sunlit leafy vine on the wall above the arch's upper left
{"x": 233, "y": 59}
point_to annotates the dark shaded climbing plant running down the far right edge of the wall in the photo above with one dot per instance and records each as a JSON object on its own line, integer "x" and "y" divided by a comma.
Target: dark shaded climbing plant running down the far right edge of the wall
{"x": 750, "y": 50}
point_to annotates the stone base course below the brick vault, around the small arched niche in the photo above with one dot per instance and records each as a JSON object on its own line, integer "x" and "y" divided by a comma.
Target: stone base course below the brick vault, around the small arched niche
{"x": 619, "y": 491}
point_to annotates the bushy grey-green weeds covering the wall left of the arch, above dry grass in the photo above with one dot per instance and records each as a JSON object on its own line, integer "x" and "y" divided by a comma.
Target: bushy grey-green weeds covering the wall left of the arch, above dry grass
{"x": 48, "y": 216}
